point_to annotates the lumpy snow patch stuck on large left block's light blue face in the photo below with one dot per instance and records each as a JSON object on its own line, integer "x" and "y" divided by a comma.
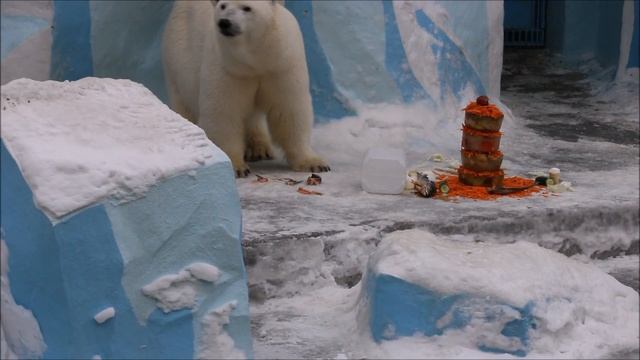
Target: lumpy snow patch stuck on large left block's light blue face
{"x": 180, "y": 291}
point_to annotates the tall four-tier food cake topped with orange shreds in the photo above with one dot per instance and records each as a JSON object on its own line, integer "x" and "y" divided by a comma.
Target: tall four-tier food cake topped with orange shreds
{"x": 481, "y": 157}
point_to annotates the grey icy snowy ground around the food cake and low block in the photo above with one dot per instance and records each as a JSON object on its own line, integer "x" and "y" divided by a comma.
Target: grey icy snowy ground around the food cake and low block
{"x": 305, "y": 254}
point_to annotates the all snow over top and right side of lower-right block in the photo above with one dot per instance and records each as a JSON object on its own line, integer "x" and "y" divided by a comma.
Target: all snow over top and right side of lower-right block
{"x": 573, "y": 303}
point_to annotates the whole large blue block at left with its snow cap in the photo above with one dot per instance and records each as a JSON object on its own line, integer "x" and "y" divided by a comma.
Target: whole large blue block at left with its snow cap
{"x": 123, "y": 226}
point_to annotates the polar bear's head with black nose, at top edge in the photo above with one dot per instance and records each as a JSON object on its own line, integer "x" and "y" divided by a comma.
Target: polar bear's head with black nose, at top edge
{"x": 237, "y": 17}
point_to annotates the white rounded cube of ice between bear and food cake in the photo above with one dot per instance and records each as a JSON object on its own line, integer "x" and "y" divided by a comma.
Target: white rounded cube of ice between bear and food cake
{"x": 384, "y": 171}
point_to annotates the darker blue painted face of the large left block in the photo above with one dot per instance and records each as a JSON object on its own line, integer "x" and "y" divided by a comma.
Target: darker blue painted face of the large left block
{"x": 77, "y": 274}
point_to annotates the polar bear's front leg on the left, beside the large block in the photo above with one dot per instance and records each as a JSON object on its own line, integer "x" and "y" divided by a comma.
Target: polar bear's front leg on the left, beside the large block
{"x": 225, "y": 103}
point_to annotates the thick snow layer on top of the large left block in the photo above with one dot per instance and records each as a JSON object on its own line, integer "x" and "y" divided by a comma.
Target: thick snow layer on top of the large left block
{"x": 104, "y": 138}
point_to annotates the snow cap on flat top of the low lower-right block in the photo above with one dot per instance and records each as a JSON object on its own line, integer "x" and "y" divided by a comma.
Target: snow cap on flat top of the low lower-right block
{"x": 513, "y": 273}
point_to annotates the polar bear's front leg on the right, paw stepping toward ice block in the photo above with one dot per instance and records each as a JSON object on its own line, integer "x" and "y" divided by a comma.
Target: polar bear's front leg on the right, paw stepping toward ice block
{"x": 290, "y": 119}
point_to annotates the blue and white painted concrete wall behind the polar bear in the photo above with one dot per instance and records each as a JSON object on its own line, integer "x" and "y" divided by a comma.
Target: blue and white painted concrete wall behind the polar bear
{"x": 358, "y": 51}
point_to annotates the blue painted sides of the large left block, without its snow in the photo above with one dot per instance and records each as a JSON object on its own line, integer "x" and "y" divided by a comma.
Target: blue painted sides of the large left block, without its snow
{"x": 102, "y": 255}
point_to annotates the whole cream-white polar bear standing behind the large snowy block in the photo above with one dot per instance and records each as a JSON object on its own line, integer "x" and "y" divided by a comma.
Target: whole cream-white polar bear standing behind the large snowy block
{"x": 229, "y": 66}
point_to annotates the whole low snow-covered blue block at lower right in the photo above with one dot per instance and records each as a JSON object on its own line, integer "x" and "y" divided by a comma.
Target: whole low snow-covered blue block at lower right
{"x": 518, "y": 299}
